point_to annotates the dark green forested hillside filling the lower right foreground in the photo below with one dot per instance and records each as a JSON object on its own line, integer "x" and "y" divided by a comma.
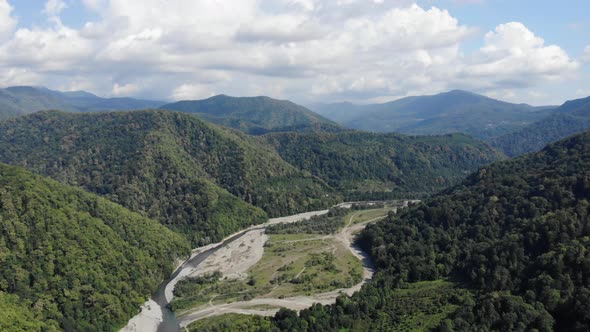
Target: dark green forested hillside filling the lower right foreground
{"x": 513, "y": 237}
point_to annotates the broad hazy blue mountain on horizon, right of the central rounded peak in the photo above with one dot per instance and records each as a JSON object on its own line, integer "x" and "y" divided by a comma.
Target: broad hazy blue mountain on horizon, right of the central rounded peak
{"x": 449, "y": 112}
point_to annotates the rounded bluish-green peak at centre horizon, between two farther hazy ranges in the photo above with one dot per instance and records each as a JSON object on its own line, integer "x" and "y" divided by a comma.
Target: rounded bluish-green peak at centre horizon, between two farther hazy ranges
{"x": 254, "y": 115}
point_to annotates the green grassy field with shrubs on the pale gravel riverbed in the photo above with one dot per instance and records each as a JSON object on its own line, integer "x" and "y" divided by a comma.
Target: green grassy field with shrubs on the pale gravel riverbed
{"x": 293, "y": 264}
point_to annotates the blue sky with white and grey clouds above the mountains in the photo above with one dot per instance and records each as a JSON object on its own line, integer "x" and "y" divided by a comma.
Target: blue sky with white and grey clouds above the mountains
{"x": 308, "y": 51}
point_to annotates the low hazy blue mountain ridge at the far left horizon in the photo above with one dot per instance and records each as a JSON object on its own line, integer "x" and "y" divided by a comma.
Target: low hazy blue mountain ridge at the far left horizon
{"x": 20, "y": 100}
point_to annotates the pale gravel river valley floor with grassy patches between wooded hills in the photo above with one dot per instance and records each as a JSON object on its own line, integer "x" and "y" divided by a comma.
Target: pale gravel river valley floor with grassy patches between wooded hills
{"x": 251, "y": 272}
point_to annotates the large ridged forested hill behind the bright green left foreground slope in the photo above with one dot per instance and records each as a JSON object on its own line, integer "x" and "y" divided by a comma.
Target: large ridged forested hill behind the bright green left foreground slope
{"x": 191, "y": 176}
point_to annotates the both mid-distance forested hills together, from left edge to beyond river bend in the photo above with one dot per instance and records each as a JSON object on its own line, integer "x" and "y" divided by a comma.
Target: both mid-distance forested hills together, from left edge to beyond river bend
{"x": 207, "y": 182}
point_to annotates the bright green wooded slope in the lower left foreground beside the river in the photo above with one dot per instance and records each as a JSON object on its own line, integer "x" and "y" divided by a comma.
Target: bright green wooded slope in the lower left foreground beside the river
{"x": 72, "y": 260}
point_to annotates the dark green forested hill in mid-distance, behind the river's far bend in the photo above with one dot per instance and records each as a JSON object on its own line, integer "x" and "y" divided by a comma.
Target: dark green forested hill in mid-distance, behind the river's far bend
{"x": 379, "y": 166}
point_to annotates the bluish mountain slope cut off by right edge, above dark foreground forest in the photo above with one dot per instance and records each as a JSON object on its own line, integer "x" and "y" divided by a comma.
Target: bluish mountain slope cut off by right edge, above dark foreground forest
{"x": 570, "y": 118}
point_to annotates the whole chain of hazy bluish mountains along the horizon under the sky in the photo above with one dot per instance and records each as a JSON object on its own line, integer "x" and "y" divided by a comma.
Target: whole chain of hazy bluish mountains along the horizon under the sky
{"x": 514, "y": 129}
